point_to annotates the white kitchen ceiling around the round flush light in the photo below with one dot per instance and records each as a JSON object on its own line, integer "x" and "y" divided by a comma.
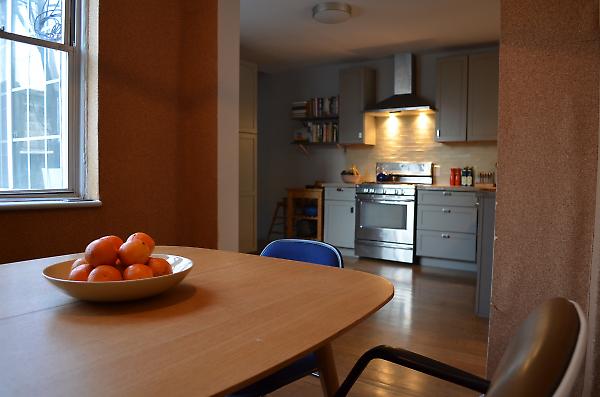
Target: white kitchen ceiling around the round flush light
{"x": 281, "y": 34}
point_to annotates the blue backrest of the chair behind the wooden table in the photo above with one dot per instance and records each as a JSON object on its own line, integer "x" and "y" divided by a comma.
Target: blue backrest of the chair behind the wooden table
{"x": 310, "y": 251}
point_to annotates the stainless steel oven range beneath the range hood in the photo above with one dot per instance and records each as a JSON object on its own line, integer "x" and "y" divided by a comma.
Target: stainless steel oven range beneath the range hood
{"x": 385, "y": 212}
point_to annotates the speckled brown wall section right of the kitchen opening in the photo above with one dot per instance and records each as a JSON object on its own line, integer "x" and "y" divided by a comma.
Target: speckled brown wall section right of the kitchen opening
{"x": 547, "y": 156}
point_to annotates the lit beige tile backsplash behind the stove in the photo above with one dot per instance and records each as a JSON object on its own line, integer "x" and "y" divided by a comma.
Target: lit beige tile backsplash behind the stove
{"x": 412, "y": 138}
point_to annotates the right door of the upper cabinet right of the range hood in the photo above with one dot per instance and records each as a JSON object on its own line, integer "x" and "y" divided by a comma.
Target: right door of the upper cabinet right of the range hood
{"x": 482, "y": 116}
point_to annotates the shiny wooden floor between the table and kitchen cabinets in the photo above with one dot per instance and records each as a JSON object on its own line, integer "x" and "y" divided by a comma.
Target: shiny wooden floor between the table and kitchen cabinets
{"x": 431, "y": 314}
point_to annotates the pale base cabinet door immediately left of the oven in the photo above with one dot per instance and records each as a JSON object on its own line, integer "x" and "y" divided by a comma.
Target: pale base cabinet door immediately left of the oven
{"x": 339, "y": 223}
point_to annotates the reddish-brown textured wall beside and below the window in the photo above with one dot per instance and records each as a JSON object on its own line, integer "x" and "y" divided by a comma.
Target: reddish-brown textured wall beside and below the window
{"x": 157, "y": 135}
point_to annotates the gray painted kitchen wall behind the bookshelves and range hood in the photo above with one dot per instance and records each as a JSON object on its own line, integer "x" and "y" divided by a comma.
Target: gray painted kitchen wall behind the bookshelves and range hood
{"x": 281, "y": 164}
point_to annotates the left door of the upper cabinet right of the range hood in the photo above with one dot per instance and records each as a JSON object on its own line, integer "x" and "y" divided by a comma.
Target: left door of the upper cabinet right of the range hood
{"x": 451, "y": 99}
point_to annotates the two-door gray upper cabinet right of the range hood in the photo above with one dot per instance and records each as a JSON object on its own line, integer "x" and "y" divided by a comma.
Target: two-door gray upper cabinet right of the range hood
{"x": 467, "y": 98}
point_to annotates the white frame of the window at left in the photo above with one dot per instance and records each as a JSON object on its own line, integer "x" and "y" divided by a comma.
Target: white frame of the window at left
{"x": 74, "y": 43}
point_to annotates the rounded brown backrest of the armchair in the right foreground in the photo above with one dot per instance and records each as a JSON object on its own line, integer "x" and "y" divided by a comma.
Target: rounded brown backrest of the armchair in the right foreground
{"x": 545, "y": 356}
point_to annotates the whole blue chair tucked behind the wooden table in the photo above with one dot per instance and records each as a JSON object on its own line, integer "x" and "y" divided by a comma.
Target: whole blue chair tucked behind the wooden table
{"x": 309, "y": 251}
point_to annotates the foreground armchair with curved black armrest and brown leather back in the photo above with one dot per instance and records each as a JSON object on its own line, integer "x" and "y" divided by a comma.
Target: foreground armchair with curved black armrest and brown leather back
{"x": 543, "y": 359}
